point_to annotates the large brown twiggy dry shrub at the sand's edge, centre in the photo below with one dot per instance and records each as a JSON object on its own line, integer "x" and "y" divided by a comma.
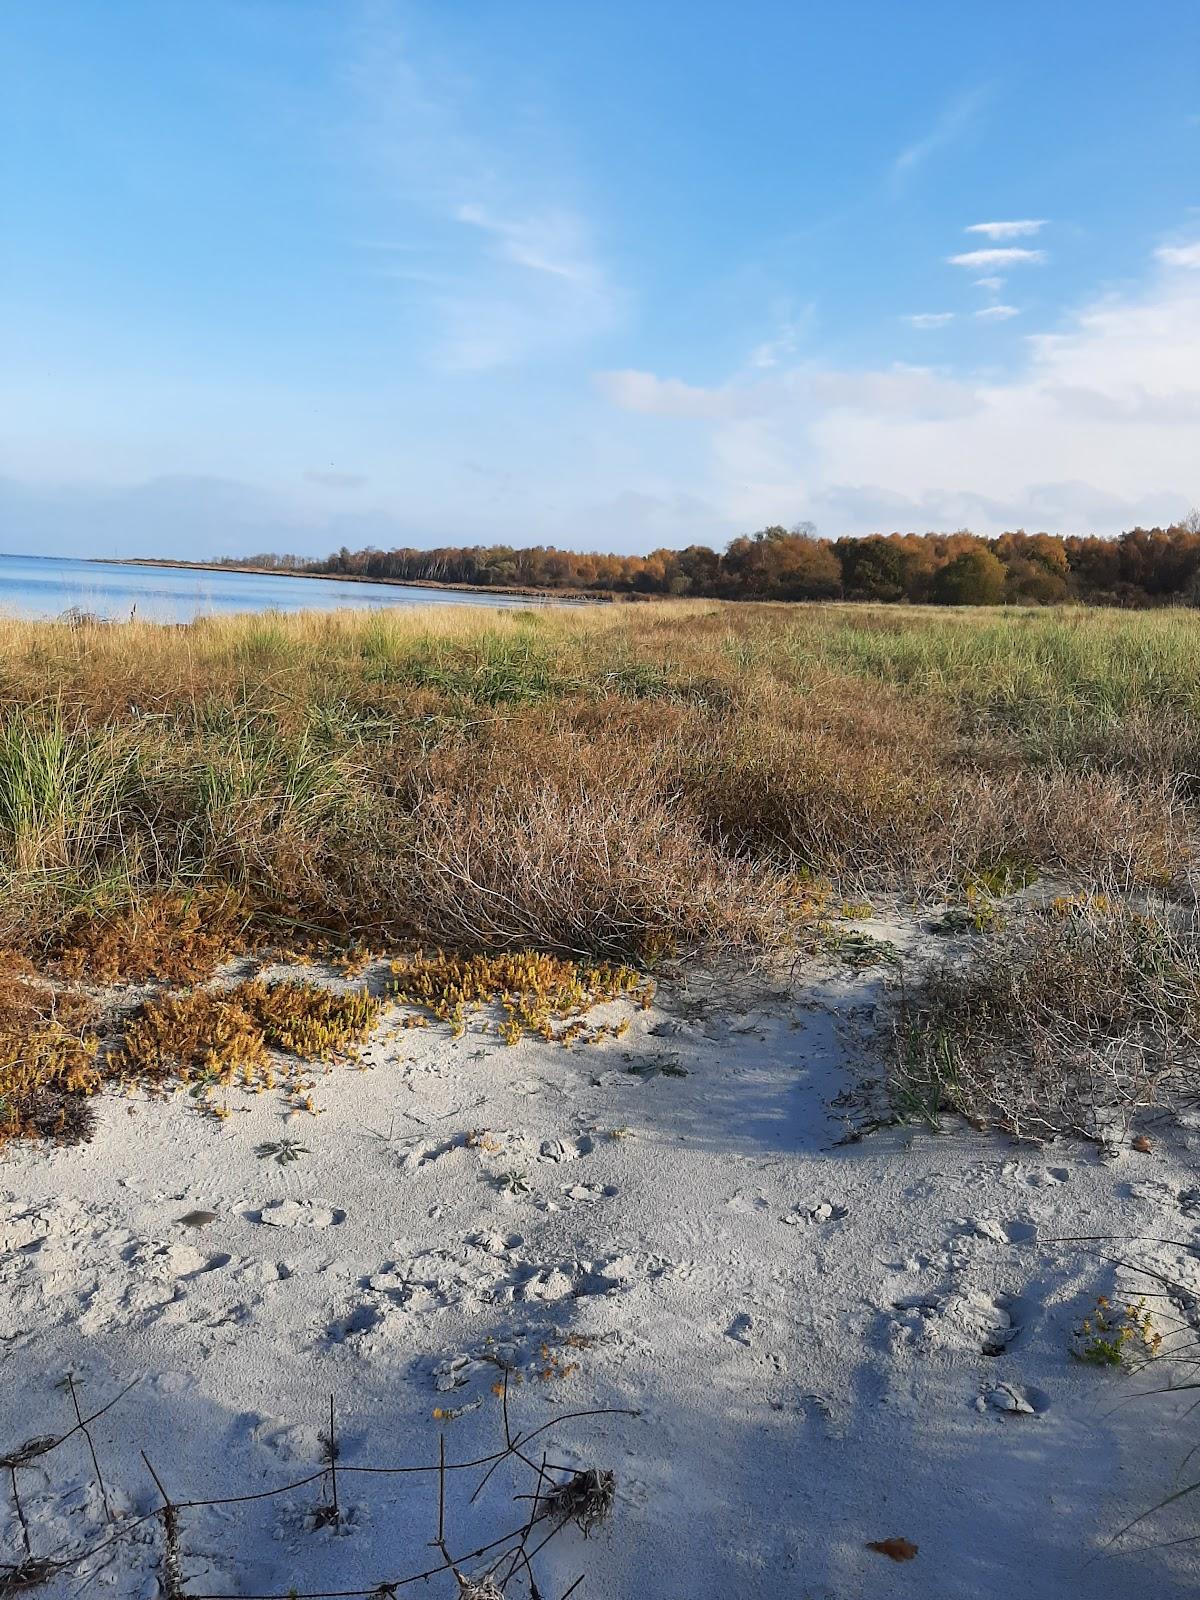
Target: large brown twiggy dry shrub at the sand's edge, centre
{"x": 574, "y": 847}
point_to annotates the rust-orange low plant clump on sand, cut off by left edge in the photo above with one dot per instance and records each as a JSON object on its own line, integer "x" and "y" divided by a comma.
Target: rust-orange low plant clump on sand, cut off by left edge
{"x": 49, "y": 1050}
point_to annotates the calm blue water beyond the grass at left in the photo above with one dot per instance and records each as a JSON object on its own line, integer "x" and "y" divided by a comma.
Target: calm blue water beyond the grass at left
{"x": 38, "y": 586}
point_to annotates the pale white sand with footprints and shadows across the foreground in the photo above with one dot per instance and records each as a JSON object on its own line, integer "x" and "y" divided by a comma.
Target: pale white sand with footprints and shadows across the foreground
{"x": 801, "y": 1326}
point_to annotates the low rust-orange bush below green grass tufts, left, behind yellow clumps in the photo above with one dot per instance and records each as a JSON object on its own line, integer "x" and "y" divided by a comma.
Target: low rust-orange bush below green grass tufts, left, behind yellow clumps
{"x": 169, "y": 937}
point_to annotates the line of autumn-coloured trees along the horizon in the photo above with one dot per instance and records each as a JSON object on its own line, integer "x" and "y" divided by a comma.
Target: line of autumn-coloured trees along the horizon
{"x": 1140, "y": 569}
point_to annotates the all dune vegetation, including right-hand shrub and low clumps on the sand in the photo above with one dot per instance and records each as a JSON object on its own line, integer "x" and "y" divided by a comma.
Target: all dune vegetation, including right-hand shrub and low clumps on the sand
{"x": 623, "y": 785}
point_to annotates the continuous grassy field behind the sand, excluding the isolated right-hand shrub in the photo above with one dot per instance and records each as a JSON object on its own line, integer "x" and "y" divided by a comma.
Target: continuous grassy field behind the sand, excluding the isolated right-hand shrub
{"x": 614, "y": 783}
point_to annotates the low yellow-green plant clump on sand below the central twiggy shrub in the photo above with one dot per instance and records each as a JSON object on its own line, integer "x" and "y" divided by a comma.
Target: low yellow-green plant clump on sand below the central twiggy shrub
{"x": 538, "y": 993}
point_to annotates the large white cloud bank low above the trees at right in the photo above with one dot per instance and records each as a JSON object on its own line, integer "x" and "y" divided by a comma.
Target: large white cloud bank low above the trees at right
{"x": 1094, "y": 433}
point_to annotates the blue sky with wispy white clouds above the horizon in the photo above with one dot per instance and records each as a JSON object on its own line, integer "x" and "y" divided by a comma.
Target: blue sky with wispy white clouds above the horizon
{"x": 606, "y": 274}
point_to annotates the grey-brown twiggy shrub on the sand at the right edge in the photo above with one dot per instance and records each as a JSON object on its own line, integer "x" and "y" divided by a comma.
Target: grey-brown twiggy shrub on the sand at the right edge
{"x": 1063, "y": 1022}
